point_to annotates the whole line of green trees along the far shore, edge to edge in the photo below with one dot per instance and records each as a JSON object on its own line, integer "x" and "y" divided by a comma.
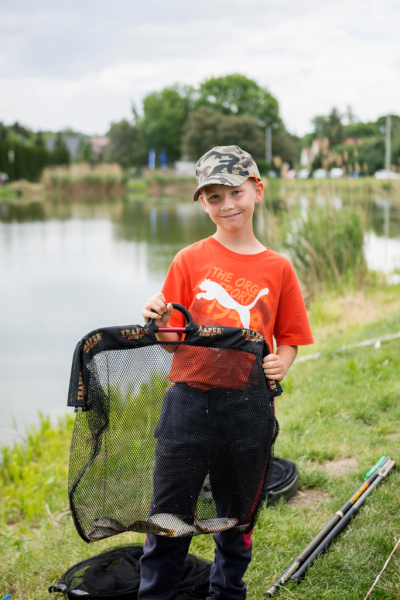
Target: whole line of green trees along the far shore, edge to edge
{"x": 183, "y": 122}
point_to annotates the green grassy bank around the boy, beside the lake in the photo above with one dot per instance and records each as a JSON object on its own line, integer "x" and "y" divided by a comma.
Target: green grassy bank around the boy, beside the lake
{"x": 338, "y": 415}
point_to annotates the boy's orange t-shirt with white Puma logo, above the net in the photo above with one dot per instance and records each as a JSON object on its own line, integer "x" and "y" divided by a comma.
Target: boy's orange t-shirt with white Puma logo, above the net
{"x": 253, "y": 291}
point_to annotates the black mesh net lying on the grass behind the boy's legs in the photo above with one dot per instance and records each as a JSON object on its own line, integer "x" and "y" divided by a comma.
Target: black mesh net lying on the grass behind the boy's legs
{"x": 116, "y": 574}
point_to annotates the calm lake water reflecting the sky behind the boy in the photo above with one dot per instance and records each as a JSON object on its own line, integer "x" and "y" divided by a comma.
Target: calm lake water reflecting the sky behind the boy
{"x": 68, "y": 268}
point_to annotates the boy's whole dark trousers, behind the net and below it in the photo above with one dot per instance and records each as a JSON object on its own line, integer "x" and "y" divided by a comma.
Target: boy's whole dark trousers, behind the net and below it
{"x": 222, "y": 433}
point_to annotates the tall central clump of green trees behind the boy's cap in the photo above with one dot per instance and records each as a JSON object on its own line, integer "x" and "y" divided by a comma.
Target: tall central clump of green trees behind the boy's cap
{"x": 185, "y": 121}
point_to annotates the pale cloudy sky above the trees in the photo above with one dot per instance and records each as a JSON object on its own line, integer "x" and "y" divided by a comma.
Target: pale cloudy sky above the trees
{"x": 82, "y": 63}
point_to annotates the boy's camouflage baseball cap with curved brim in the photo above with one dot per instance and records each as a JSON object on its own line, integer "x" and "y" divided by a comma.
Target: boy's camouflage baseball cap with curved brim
{"x": 226, "y": 165}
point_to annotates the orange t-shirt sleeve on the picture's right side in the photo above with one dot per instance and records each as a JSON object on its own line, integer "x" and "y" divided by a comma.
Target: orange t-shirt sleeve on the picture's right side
{"x": 291, "y": 325}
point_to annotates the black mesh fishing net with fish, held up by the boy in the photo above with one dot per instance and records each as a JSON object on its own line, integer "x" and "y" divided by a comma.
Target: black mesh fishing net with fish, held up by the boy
{"x": 155, "y": 420}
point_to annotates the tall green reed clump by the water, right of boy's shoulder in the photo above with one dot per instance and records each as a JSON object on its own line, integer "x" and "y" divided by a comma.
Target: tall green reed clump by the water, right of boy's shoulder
{"x": 327, "y": 248}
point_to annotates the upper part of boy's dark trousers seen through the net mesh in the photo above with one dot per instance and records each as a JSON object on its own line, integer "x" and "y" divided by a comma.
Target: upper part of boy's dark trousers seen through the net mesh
{"x": 220, "y": 432}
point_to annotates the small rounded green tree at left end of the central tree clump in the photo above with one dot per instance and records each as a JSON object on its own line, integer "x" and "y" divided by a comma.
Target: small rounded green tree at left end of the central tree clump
{"x": 126, "y": 145}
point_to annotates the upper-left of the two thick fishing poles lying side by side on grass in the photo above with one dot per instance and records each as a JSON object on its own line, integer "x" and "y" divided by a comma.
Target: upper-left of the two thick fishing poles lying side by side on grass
{"x": 302, "y": 557}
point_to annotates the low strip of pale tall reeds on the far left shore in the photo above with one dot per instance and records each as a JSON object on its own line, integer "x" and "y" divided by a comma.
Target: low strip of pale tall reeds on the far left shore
{"x": 83, "y": 178}
